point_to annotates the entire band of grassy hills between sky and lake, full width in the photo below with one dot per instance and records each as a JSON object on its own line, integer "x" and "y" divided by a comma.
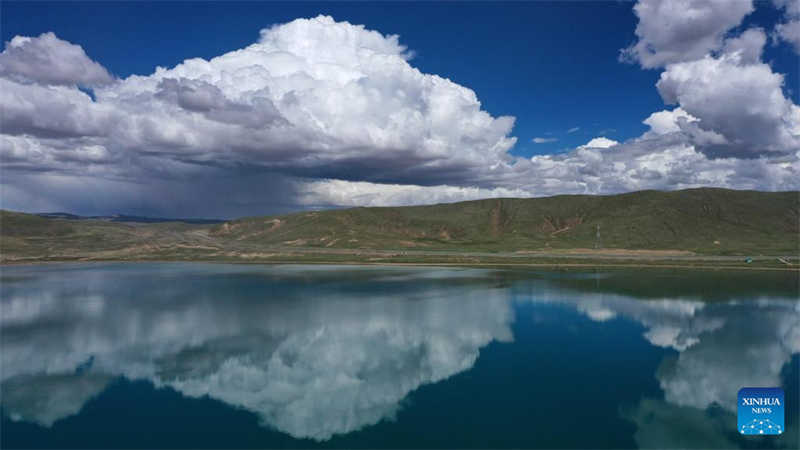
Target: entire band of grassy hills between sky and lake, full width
{"x": 741, "y": 222}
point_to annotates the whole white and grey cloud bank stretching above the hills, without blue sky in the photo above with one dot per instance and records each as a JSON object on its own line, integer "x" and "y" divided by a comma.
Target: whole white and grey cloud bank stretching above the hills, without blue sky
{"x": 319, "y": 113}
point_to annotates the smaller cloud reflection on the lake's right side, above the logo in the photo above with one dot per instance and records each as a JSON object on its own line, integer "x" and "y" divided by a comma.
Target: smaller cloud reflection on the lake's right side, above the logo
{"x": 721, "y": 346}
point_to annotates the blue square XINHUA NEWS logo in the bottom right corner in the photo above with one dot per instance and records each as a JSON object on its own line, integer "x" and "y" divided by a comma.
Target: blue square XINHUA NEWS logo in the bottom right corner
{"x": 760, "y": 411}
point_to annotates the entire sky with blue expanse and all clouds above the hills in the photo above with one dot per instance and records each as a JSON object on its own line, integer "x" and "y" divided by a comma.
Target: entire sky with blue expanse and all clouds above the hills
{"x": 212, "y": 109}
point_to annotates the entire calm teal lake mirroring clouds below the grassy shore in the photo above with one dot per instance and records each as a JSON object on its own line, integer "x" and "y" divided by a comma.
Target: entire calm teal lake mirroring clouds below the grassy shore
{"x": 219, "y": 356}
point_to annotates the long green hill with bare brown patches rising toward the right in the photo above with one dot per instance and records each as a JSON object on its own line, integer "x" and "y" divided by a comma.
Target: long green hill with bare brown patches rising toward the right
{"x": 709, "y": 221}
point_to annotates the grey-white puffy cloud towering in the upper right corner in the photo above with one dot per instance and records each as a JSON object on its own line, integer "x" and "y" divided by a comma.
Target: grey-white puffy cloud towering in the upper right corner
{"x": 735, "y": 102}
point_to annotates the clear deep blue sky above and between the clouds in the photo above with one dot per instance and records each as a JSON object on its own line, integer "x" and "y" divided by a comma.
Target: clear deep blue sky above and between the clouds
{"x": 552, "y": 65}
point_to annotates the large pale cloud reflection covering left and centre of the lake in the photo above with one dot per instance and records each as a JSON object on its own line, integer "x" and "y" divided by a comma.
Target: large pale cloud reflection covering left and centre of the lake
{"x": 308, "y": 362}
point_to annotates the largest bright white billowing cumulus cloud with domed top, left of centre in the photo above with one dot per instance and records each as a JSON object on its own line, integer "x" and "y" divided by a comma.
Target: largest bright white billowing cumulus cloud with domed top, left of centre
{"x": 313, "y": 97}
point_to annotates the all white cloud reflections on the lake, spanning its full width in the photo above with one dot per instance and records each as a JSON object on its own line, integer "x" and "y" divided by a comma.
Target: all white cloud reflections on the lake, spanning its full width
{"x": 316, "y": 352}
